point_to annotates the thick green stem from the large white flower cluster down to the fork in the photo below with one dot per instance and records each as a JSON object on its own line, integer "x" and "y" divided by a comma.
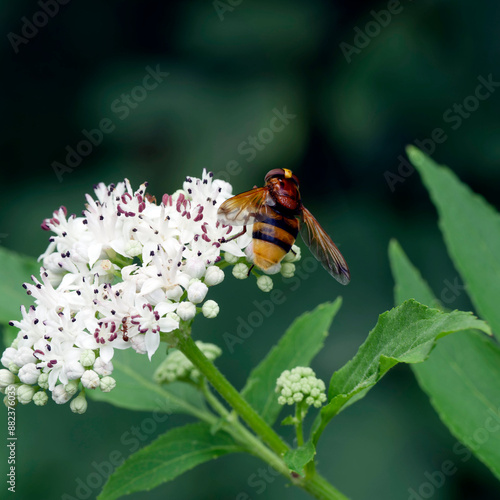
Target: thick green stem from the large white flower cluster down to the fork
{"x": 187, "y": 346}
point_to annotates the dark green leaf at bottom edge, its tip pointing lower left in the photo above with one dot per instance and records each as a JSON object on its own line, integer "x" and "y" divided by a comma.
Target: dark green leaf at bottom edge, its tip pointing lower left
{"x": 169, "y": 456}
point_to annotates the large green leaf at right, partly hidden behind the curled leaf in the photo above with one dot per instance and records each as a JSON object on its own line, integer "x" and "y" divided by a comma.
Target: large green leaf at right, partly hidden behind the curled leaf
{"x": 461, "y": 377}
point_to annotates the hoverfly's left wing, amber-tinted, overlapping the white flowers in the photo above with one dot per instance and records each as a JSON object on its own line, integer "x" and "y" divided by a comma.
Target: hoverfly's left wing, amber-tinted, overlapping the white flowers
{"x": 243, "y": 209}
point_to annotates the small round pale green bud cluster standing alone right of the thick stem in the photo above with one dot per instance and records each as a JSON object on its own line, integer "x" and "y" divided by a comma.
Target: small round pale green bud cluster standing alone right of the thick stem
{"x": 299, "y": 383}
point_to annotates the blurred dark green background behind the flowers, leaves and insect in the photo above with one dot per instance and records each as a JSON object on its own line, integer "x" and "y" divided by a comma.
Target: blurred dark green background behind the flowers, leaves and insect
{"x": 357, "y": 100}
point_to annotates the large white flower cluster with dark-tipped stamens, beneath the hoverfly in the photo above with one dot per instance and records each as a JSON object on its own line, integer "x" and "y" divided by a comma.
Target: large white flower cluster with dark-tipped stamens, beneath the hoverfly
{"x": 114, "y": 278}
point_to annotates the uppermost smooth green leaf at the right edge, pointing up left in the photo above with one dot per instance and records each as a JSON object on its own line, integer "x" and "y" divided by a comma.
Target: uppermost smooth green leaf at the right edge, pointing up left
{"x": 471, "y": 230}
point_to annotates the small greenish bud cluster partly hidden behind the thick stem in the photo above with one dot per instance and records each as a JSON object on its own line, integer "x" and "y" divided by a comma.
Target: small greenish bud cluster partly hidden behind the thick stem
{"x": 177, "y": 367}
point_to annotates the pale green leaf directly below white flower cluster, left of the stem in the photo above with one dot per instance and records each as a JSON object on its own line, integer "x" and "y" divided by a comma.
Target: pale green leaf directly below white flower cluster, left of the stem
{"x": 136, "y": 390}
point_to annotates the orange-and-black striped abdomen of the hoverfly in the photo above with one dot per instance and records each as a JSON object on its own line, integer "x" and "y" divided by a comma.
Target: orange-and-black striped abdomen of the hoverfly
{"x": 273, "y": 236}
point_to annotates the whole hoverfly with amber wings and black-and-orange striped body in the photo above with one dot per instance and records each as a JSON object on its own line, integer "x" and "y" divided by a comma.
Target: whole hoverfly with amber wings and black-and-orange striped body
{"x": 277, "y": 215}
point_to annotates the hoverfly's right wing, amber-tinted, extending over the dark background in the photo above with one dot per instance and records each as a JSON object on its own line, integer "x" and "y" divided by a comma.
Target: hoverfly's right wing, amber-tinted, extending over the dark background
{"x": 323, "y": 248}
